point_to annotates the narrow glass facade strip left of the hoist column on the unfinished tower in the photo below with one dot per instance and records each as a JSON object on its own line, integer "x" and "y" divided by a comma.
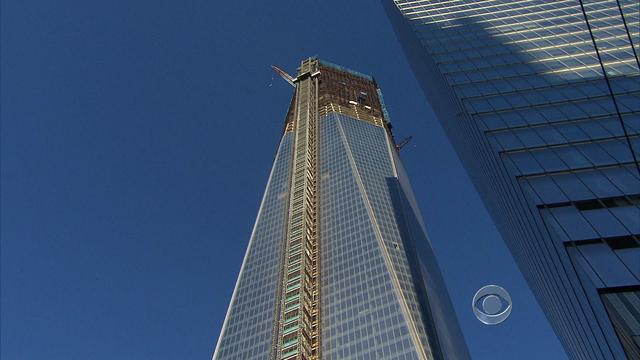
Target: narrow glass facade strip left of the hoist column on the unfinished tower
{"x": 248, "y": 326}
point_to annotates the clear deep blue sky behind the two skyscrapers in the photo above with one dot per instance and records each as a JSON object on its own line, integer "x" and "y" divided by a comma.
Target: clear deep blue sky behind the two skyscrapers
{"x": 136, "y": 141}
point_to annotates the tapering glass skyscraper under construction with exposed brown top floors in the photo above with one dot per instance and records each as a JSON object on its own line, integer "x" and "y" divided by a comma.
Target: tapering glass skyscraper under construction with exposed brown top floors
{"x": 338, "y": 265}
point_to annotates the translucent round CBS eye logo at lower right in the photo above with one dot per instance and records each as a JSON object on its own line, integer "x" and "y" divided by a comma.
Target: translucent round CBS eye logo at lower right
{"x": 491, "y": 304}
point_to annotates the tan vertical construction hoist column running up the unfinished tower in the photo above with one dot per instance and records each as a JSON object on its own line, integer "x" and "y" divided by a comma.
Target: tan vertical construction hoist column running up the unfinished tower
{"x": 297, "y": 327}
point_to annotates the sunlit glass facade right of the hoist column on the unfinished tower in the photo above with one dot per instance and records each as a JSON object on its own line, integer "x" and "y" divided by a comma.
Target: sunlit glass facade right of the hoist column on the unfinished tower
{"x": 367, "y": 285}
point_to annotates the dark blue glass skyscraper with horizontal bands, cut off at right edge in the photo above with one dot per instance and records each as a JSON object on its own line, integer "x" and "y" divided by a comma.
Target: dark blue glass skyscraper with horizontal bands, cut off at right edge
{"x": 541, "y": 100}
